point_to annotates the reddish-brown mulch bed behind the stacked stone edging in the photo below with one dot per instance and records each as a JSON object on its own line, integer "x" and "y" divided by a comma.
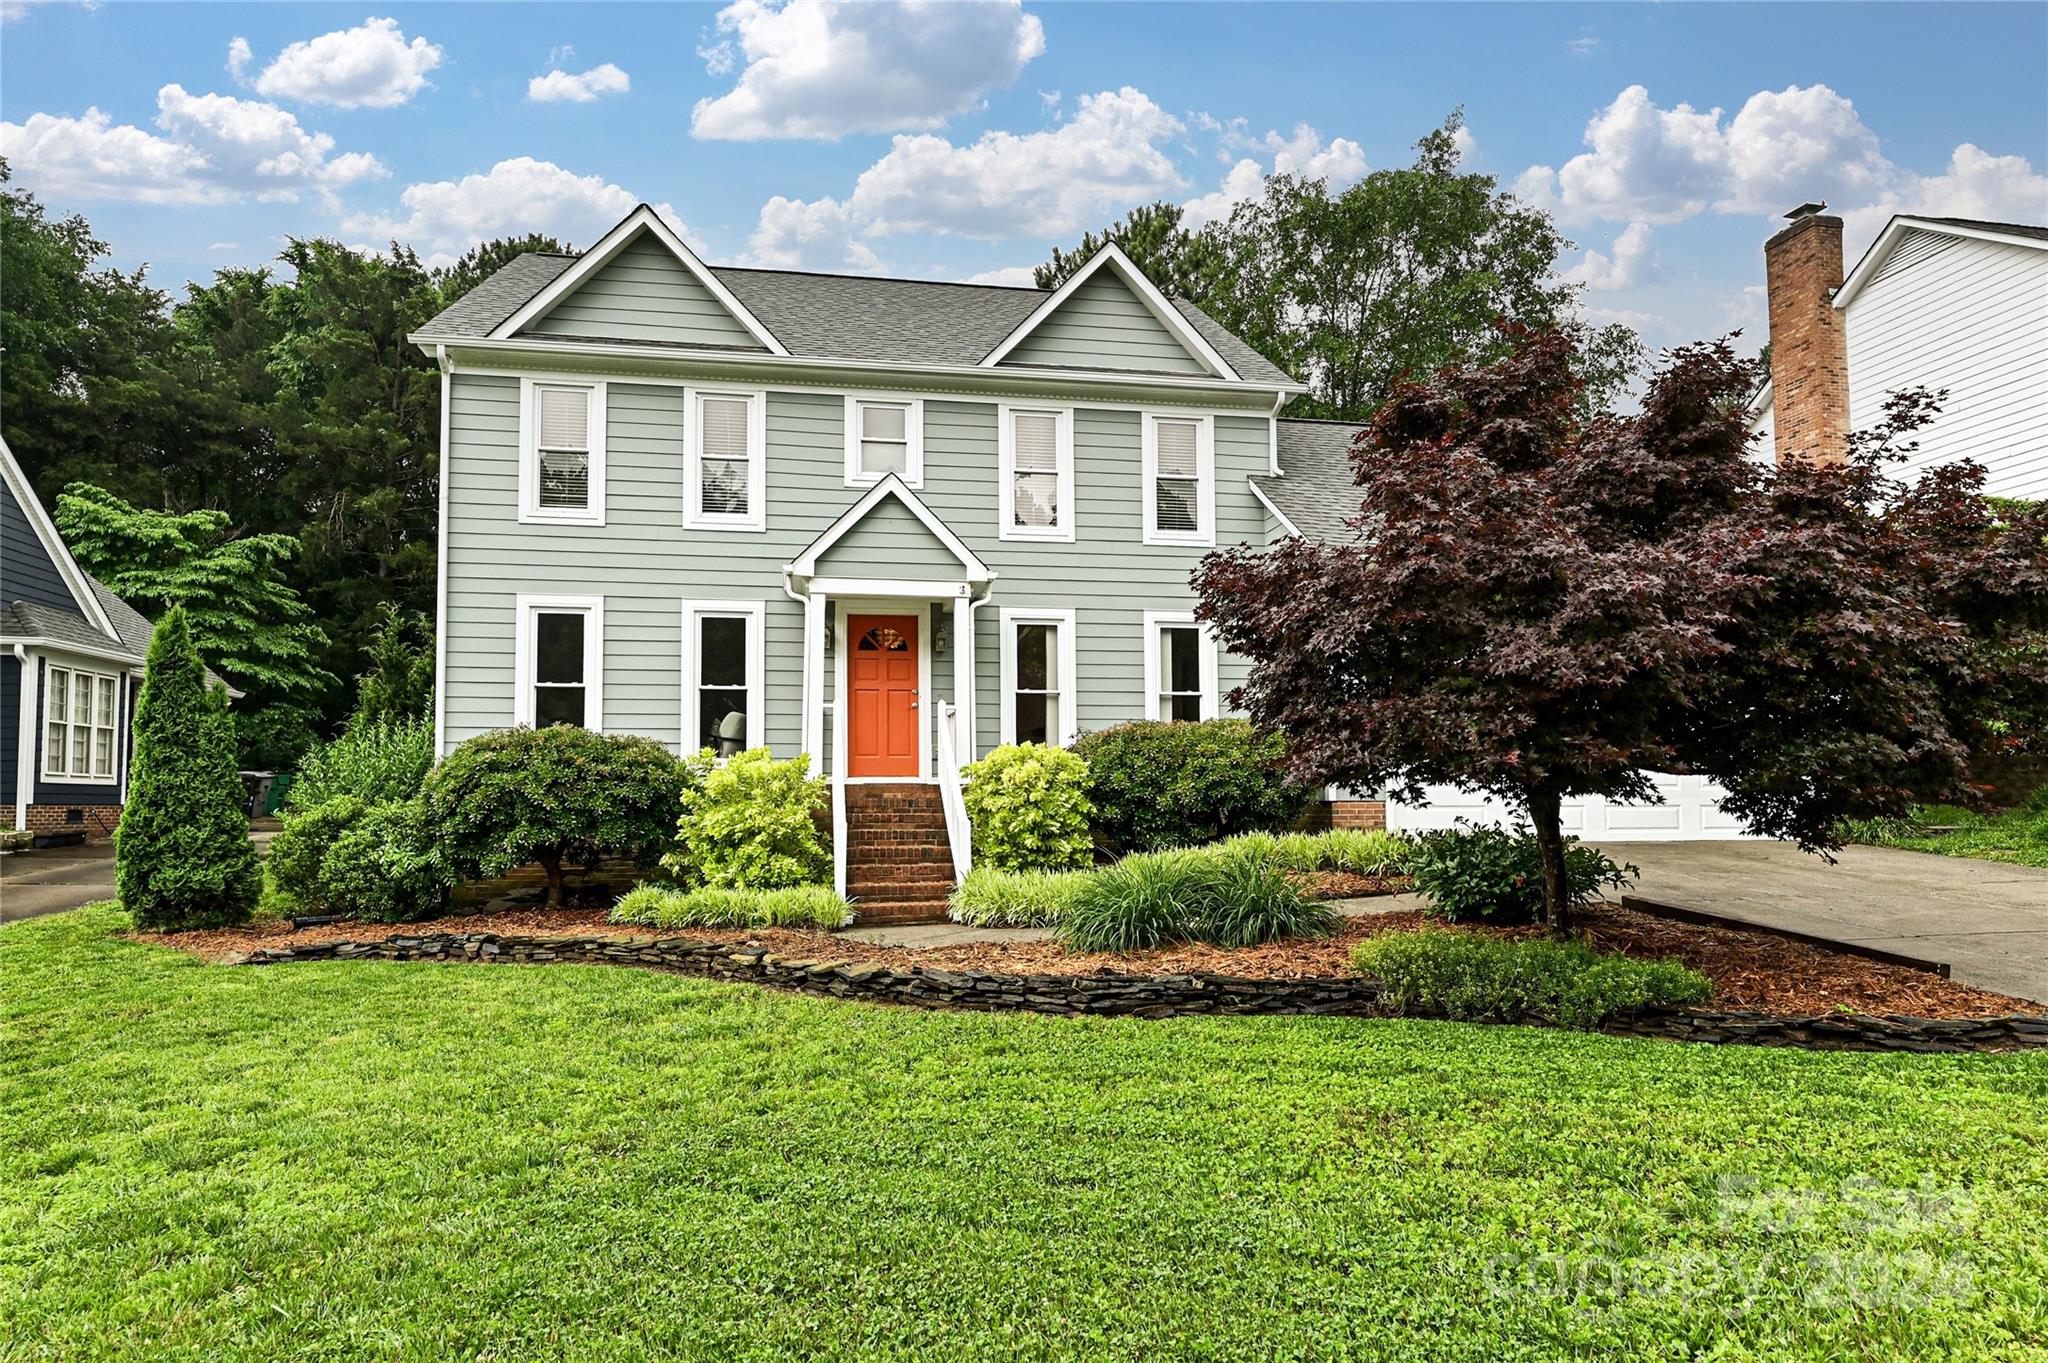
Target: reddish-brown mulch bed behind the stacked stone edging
{"x": 1750, "y": 971}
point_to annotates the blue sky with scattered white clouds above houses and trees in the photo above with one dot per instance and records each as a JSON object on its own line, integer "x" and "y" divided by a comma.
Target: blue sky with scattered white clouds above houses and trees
{"x": 962, "y": 140}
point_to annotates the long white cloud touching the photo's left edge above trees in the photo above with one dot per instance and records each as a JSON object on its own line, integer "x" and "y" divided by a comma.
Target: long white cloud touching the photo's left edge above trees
{"x": 216, "y": 148}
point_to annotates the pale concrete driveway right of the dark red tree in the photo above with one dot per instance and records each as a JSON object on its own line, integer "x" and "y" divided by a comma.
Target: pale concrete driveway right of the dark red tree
{"x": 1988, "y": 920}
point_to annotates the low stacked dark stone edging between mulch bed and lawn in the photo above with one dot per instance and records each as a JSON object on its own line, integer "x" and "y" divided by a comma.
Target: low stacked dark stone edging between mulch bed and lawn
{"x": 1132, "y": 996}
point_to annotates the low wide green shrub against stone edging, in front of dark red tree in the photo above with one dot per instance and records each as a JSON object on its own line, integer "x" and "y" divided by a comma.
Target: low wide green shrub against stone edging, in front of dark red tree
{"x": 1474, "y": 977}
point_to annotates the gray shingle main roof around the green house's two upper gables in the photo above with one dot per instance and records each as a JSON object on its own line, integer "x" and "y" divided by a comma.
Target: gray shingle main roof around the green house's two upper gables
{"x": 843, "y": 316}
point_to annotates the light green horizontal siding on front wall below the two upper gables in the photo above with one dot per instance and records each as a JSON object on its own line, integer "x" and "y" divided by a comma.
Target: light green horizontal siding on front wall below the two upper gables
{"x": 644, "y": 564}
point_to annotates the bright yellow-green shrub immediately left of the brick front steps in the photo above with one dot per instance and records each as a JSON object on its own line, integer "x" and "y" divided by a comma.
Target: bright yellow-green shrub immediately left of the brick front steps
{"x": 751, "y": 826}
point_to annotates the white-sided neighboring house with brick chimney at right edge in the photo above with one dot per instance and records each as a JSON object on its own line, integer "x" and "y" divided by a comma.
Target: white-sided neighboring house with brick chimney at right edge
{"x": 1936, "y": 302}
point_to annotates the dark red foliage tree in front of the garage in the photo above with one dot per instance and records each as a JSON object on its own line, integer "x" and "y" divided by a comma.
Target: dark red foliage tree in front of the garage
{"x": 1545, "y": 607}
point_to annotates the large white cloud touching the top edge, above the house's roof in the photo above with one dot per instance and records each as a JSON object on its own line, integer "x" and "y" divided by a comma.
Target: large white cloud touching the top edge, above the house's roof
{"x": 828, "y": 69}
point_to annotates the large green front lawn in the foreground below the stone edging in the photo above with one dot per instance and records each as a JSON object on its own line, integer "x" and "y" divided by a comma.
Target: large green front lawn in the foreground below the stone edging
{"x": 411, "y": 1161}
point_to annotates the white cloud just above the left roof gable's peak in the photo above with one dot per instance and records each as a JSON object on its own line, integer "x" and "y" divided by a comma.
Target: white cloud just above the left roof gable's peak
{"x": 445, "y": 218}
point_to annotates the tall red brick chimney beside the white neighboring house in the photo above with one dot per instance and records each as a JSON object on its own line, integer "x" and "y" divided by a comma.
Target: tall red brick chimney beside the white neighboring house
{"x": 1809, "y": 351}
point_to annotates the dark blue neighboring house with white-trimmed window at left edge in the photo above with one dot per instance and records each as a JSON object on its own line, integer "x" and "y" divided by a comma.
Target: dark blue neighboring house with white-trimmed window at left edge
{"x": 71, "y": 672}
